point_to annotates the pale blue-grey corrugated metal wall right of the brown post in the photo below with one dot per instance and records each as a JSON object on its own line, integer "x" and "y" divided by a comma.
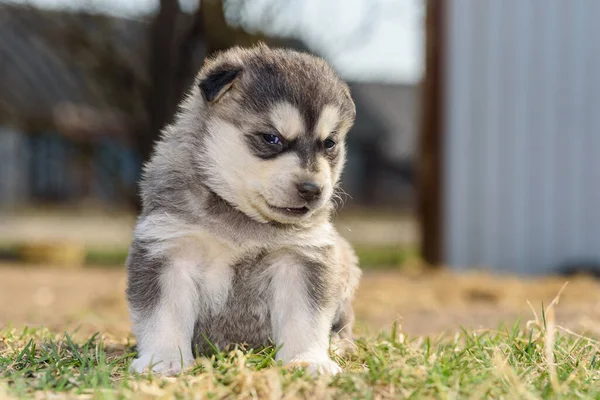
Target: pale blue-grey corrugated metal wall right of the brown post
{"x": 522, "y": 133}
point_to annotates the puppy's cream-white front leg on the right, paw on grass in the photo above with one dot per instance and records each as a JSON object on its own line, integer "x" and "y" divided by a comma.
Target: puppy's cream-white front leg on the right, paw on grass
{"x": 302, "y": 314}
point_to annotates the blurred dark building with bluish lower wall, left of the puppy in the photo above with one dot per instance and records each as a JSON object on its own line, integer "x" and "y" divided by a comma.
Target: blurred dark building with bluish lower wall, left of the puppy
{"x": 61, "y": 136}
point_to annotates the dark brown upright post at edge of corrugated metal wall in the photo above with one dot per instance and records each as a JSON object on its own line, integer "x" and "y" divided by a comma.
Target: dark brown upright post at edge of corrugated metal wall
{"x": 431, "y": 160}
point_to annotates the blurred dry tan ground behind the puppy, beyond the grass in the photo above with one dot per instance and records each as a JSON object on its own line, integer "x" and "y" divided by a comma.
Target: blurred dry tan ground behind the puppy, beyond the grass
{"x": 423, "y": 303}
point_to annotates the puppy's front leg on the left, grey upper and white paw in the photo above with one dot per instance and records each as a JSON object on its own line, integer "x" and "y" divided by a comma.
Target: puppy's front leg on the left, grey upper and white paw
{"x": 163, "y": 302}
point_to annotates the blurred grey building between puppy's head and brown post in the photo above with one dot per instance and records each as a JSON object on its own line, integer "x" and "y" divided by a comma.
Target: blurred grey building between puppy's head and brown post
{"x": 383, "y": 144}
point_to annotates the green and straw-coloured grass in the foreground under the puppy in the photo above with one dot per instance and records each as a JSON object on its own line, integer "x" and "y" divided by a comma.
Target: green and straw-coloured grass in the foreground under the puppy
{"x": 507, "y": 363}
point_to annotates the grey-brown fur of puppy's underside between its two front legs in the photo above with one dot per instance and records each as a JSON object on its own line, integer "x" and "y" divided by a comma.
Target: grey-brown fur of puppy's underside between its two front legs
{"x": 244, "y": 316}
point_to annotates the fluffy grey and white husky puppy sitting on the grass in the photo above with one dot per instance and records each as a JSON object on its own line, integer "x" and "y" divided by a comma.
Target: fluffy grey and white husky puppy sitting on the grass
{"x": 234, "y": 243}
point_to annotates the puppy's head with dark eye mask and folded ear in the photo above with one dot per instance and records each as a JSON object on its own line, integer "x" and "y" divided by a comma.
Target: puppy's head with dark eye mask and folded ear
{"x": 275, "y": 125}
